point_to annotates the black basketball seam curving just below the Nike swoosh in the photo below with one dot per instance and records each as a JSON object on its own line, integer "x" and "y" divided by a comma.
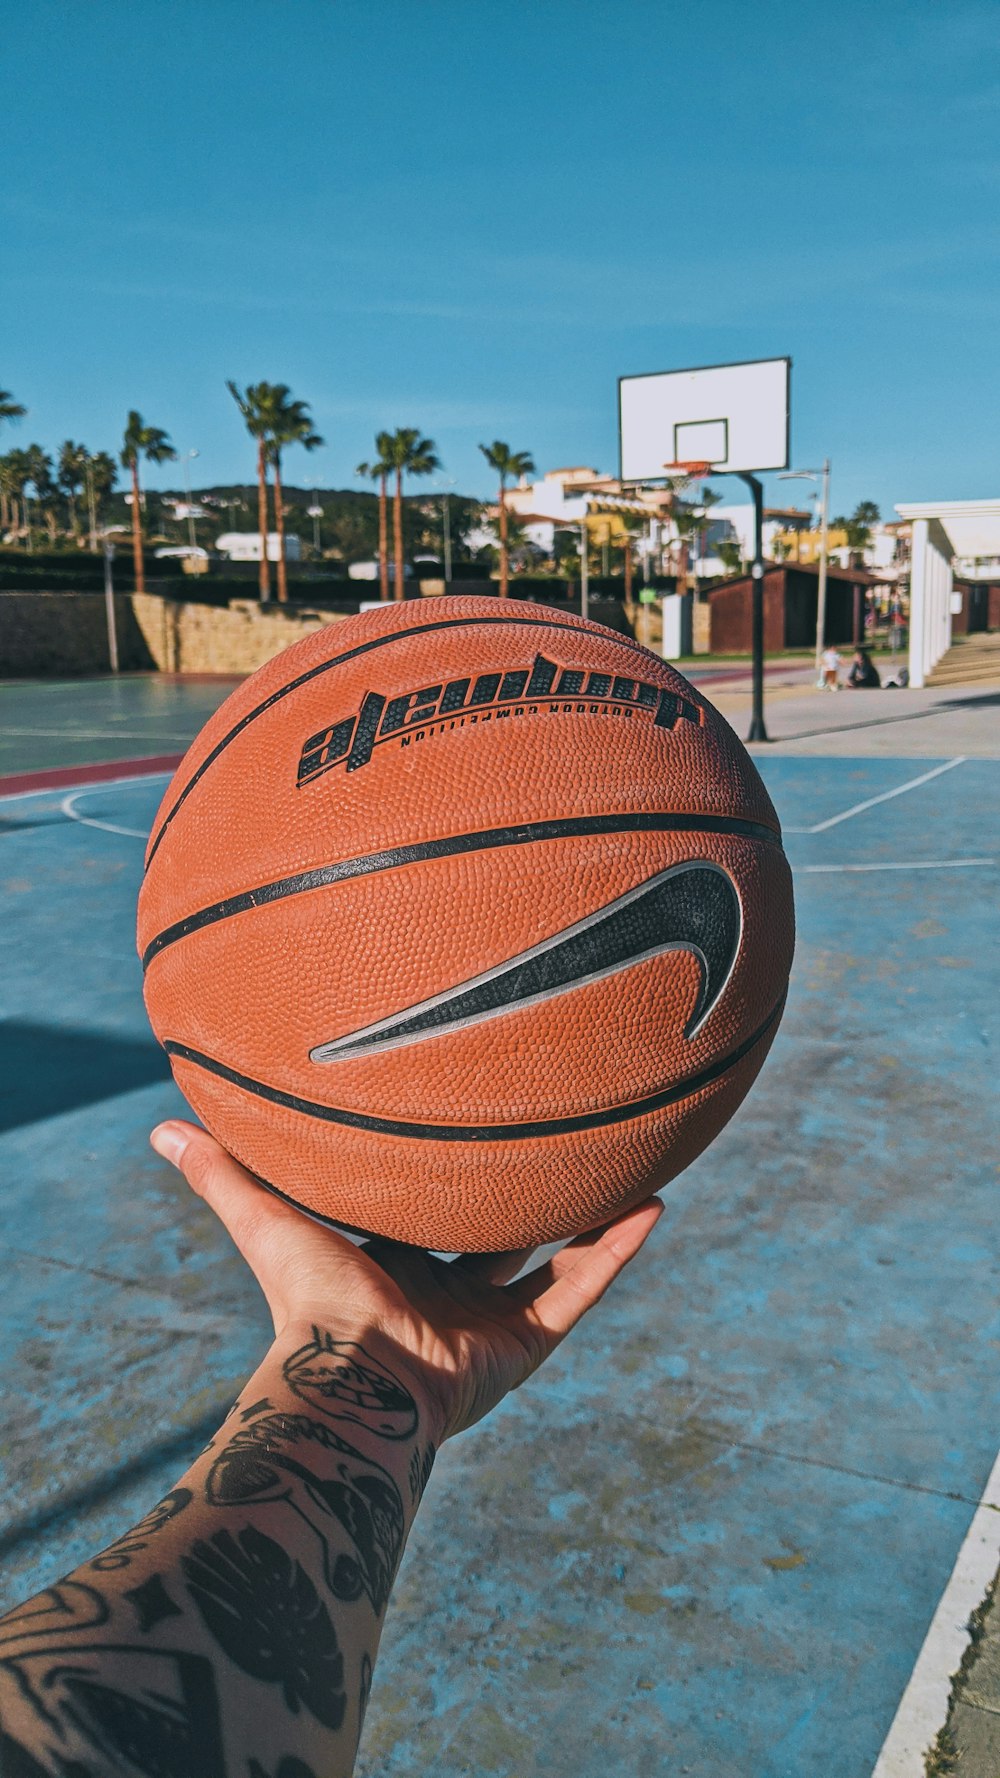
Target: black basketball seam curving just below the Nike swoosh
{"x": 565, "y": 1126}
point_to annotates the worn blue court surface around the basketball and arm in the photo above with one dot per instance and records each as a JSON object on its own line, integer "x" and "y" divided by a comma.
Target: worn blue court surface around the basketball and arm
{"x": 709, "y": 1539}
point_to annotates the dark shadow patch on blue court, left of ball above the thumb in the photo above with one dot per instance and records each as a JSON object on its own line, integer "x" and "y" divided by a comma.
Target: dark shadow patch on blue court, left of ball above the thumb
{"x": 49, "y": 1069}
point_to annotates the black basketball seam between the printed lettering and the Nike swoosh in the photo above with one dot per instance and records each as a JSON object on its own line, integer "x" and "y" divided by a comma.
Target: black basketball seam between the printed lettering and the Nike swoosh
{"x": 421, "y": 853}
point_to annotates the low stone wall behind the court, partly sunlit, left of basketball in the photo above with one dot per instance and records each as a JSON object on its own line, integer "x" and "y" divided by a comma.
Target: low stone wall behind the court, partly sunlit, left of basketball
{"x": 52, "y": 634}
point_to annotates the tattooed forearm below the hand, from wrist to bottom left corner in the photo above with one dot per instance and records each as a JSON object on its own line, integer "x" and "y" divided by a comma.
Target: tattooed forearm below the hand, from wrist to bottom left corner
{"x": 232, "y": 1633}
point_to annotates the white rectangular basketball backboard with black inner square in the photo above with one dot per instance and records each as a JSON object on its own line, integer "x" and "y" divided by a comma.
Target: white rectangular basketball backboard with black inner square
{"x": 734, "y": 417}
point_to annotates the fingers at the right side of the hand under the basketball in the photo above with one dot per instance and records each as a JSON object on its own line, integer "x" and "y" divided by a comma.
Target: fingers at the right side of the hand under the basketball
{"x": 560, "y": 1293}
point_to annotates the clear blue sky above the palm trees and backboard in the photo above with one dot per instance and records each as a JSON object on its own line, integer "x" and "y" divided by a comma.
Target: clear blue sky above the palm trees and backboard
{"x": 474, "y": 218}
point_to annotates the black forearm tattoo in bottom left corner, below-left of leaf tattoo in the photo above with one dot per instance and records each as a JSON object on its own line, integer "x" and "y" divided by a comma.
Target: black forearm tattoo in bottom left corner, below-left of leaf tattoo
{"x": 161, "y": 1720}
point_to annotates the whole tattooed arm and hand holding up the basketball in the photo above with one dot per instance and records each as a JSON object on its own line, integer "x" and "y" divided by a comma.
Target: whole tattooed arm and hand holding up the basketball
{"x": 236, "y": 1628}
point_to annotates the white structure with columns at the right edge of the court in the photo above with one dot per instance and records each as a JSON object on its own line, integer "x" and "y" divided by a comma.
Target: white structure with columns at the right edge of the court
{"x": 942, "y": 531}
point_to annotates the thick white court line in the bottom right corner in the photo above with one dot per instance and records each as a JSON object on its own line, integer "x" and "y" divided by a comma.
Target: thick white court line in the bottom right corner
{"x": 924, "y": 1706}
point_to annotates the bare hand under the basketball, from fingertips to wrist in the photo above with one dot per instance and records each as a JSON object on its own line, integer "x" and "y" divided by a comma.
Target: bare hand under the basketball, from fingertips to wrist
{"x": 465, "y": 1331}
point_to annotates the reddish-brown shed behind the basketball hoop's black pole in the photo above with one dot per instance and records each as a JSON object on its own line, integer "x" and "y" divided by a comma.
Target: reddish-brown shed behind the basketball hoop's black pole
{"x": 789, "y": 609}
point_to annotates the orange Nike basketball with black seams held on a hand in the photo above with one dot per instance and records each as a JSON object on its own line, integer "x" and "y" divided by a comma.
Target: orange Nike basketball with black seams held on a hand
{"x": 465, "y": 924}
